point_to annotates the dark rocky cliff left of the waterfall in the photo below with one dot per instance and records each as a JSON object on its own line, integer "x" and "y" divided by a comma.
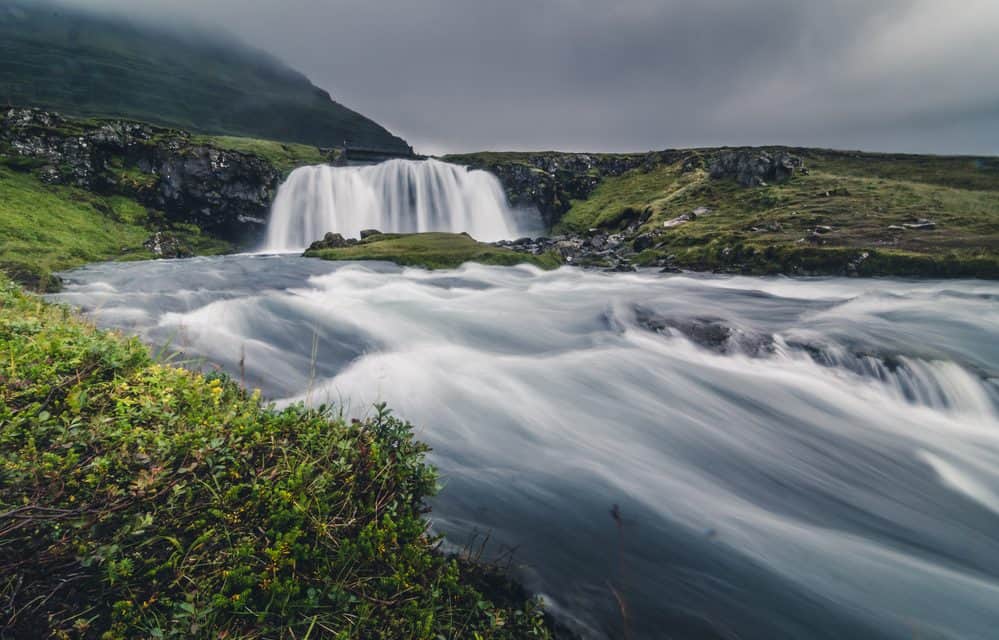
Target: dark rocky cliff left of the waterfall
{"x": 226, "y": 193}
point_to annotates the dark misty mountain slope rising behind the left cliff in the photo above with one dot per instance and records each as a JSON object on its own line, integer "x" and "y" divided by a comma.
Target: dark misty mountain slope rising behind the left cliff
{"x": 91, "y": 65}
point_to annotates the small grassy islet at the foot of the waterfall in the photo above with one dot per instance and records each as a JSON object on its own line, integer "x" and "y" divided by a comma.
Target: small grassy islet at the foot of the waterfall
{"x": 433, "y": 251}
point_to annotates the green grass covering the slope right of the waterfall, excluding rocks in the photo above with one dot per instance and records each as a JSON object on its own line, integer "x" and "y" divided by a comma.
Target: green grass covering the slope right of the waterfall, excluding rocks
{"x": 769, "y": 229}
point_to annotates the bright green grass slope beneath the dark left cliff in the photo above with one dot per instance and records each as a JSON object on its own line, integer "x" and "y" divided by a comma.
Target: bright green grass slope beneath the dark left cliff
{"x": 47, "y": 228}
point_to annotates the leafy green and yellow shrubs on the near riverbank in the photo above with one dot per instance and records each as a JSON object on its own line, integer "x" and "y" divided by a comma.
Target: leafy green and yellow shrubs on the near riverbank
{"x": 142, "y": 500}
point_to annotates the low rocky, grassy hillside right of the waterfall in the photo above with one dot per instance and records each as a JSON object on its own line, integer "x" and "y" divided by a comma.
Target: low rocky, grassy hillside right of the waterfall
{"x": 770, "y": 210}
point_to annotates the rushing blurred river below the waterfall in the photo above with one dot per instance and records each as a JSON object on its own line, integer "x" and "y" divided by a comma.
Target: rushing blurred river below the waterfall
{"x": 665, "y": 456}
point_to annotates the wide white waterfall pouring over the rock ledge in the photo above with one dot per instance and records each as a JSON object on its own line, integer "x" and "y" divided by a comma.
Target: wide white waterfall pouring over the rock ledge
{"x": 400, "y": 196}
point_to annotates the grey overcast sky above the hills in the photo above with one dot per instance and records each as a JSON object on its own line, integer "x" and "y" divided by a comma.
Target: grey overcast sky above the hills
{"x": 632, "y": 75}
